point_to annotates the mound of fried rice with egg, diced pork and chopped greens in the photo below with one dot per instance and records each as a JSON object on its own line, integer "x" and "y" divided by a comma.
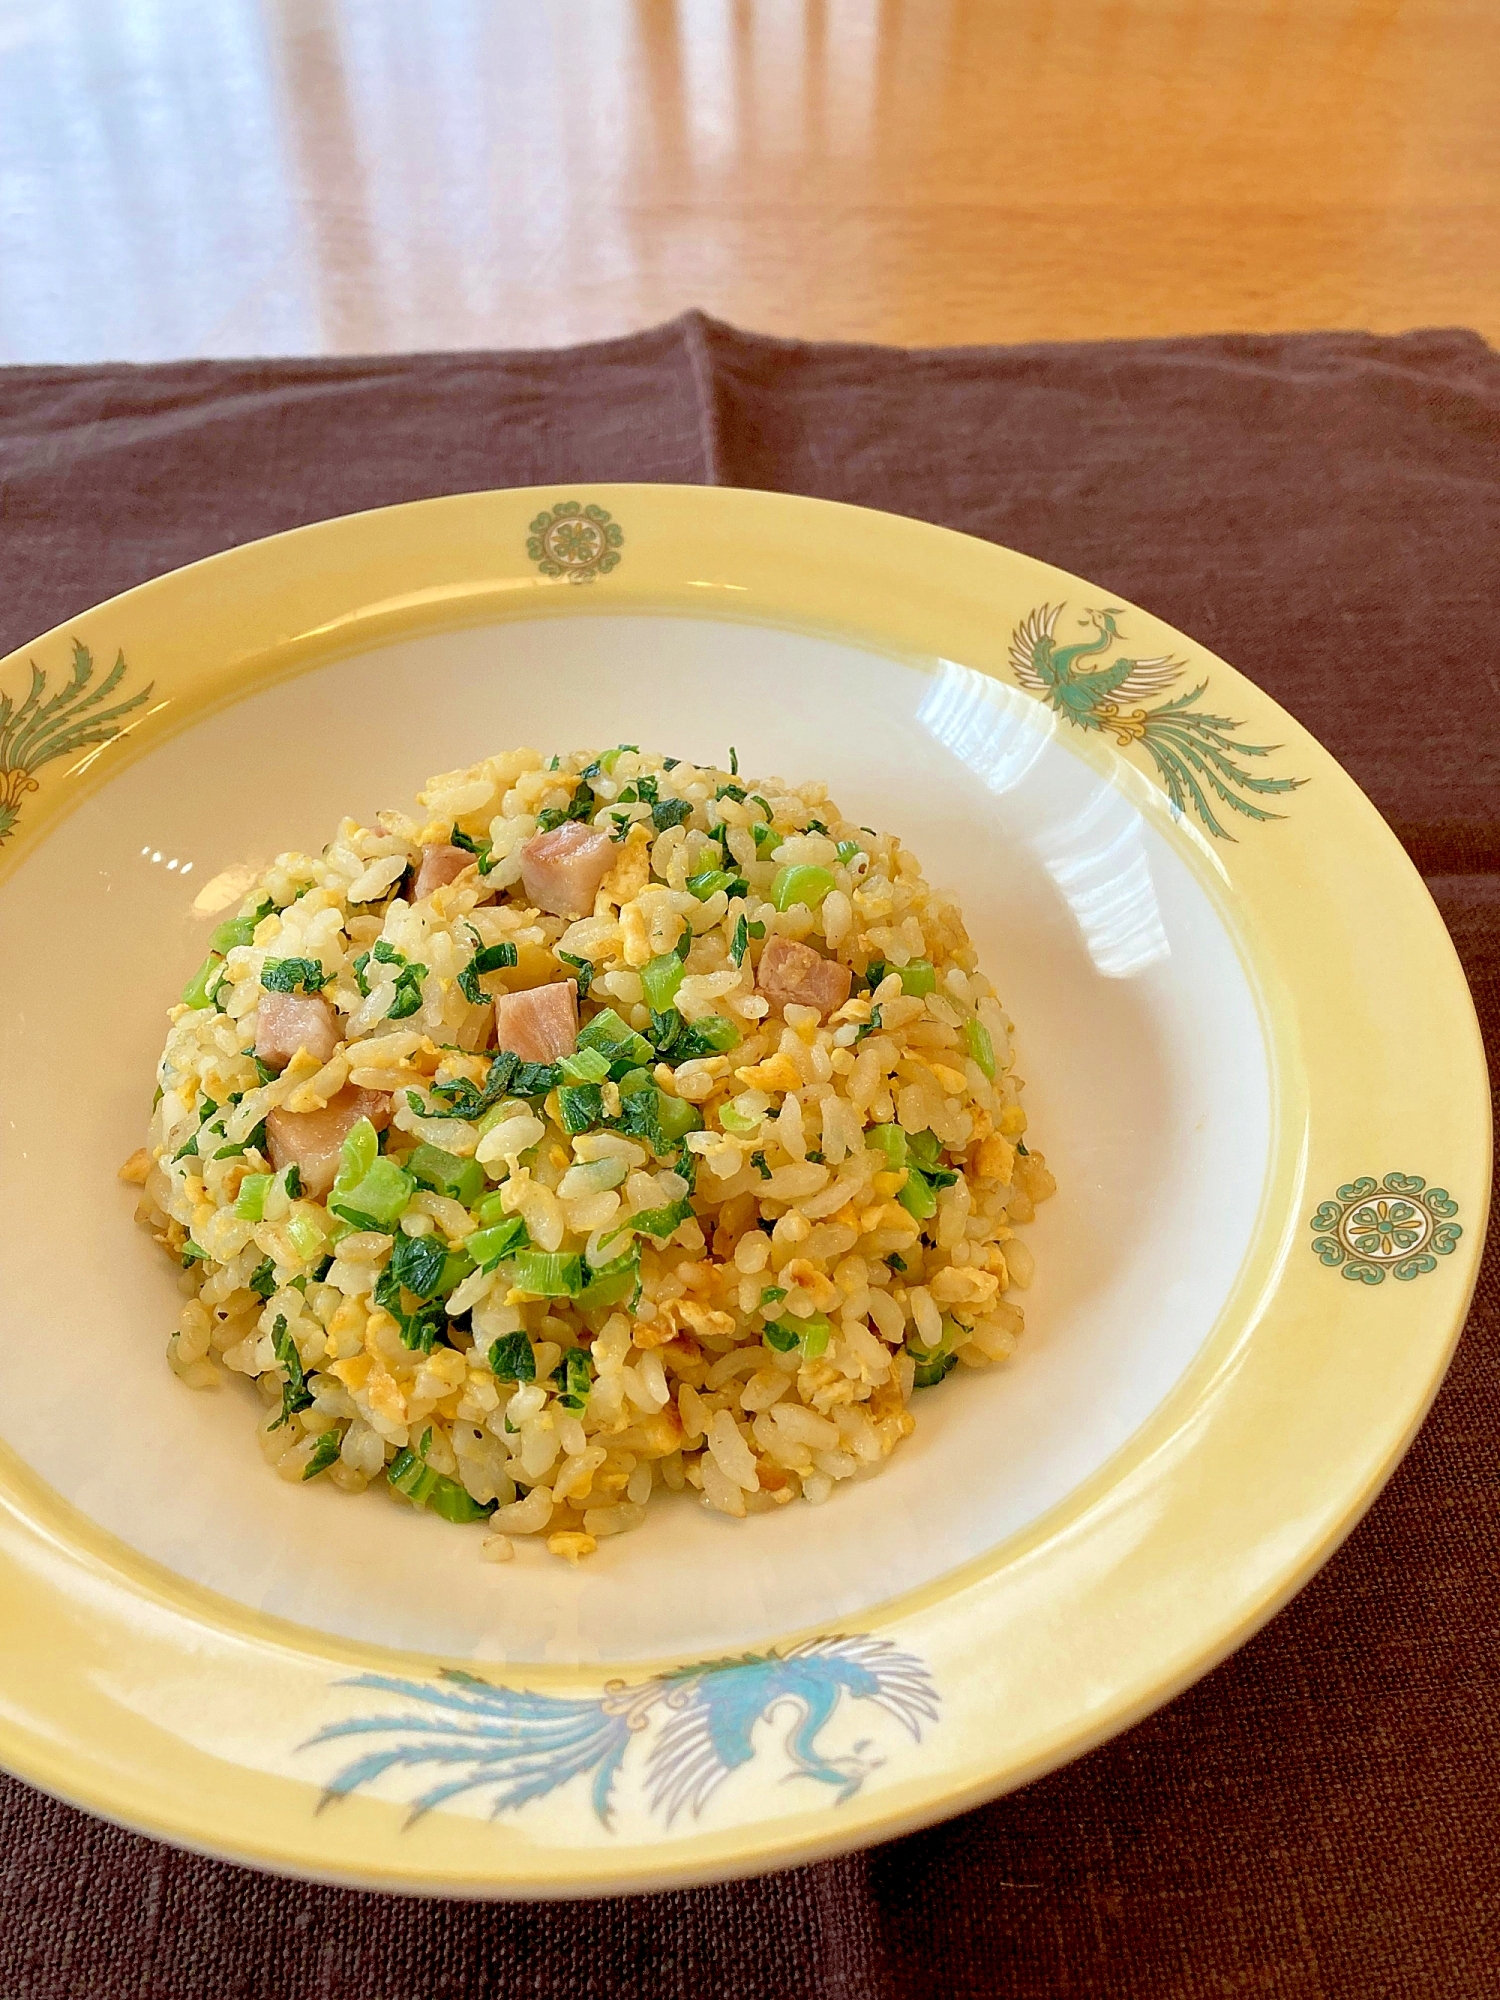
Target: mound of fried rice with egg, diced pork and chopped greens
{"x": 615, "y": 1125}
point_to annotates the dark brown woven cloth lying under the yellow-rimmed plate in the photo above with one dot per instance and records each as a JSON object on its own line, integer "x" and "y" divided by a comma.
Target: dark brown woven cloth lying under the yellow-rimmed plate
{"x": 1317, "y": 1819}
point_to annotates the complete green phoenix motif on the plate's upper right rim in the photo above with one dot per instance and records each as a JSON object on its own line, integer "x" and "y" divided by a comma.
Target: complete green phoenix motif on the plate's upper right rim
{"x": 1195, "y": 753}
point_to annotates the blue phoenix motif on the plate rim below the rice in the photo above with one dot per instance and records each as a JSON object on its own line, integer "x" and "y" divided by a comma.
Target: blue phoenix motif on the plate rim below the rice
{"x": 515, "y": 1745}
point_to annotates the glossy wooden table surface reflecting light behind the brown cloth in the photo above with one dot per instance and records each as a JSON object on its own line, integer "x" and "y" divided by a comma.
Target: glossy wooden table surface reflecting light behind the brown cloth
{"x": 237, "y": 177}
